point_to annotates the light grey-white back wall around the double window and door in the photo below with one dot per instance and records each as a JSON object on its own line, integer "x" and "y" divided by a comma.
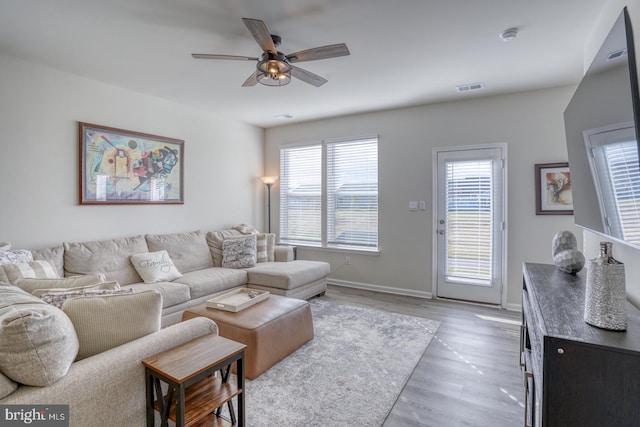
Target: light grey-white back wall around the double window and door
{"x": 530, "y": 123}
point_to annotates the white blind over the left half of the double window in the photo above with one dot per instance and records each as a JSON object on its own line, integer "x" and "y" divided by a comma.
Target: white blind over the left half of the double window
{"x": 301, "y": 194}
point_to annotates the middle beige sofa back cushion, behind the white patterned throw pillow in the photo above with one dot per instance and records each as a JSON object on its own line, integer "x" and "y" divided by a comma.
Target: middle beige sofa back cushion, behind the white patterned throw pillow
{"x": 188, "y": 251}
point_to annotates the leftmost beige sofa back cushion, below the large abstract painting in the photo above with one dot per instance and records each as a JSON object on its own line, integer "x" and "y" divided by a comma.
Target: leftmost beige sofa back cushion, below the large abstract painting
{"x": 110, "y": 257}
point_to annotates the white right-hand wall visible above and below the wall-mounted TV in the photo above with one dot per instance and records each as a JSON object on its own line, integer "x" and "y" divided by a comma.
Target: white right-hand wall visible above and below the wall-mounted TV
{"x": 630, "y": 256}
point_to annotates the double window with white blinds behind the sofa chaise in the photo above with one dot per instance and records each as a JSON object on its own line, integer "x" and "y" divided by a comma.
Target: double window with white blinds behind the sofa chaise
{"x": 329, "y": 194}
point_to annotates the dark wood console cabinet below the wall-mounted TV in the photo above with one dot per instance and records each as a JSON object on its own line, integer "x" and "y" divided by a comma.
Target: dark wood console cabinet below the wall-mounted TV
{"x": 575, "y": 374}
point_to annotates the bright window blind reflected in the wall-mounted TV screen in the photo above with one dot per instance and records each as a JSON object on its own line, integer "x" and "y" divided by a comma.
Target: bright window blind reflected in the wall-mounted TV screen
{"x": 624, "y": 175}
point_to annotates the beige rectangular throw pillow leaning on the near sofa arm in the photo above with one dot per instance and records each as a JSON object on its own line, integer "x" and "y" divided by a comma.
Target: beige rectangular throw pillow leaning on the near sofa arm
{"x": 104, "y": 322}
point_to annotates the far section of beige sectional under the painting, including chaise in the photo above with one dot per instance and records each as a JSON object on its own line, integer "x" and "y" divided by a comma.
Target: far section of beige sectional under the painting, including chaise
{"x": 197, "y": 256}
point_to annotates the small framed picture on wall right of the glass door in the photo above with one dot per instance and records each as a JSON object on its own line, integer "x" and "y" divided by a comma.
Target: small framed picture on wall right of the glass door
{"x": 553, "y": 189}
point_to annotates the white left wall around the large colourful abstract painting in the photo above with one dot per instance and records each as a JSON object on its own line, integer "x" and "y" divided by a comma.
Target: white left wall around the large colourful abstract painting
{"x": 39, "y": 111}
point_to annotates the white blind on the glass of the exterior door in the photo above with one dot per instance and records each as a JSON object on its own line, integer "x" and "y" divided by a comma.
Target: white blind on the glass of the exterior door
{"x": 469, "y": 219}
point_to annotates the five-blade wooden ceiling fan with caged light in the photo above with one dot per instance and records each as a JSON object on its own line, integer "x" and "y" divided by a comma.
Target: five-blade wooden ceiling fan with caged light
{"x": 274, "y": 68}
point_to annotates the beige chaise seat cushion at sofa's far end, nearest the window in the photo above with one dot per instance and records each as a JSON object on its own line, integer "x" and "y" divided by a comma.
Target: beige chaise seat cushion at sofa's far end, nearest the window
{"x": 287, "y": 275}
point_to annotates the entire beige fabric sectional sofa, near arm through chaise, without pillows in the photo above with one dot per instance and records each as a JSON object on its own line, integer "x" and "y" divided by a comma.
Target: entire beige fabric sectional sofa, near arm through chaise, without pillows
{"x": 107, "y": 388}
